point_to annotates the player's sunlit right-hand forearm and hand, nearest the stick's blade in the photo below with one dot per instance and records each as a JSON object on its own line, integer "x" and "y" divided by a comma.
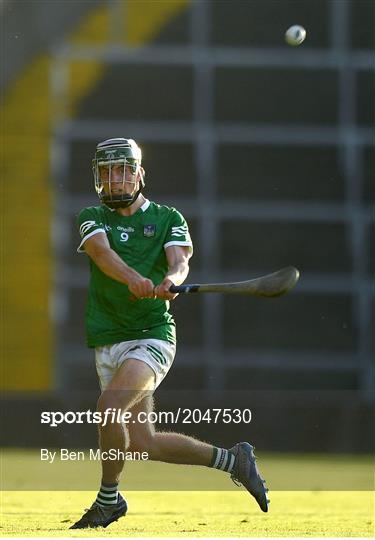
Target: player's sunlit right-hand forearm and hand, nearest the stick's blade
{"x": 178, "y": 269}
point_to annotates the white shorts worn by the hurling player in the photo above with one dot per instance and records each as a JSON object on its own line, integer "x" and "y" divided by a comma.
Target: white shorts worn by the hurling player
{"x": 158, "y": 354}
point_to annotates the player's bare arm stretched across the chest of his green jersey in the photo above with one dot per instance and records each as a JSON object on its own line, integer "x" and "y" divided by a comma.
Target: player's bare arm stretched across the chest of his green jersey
{"x": 99, "y": 250}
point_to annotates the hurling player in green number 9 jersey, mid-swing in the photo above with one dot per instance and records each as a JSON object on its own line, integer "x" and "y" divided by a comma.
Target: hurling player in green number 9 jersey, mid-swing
{"x": 137, "y": 249}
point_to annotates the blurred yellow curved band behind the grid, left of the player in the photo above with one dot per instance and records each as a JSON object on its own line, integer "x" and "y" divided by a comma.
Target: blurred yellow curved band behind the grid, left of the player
{"x": 27, "y": 341}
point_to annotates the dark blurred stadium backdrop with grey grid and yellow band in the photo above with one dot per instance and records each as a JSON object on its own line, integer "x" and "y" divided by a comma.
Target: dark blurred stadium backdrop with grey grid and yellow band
{"x": 267, "y": 150}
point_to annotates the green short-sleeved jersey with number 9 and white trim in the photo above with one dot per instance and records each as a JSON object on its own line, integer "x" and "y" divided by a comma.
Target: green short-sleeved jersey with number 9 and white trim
{"x": 112, "y": 313}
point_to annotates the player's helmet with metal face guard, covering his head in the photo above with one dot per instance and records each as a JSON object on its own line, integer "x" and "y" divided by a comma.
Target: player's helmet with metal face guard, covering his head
{"x": 117, "y": 165}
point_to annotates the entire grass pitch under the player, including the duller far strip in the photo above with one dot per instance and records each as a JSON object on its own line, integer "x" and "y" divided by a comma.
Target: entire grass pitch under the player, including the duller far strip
{"x": 304, "y": 509}
